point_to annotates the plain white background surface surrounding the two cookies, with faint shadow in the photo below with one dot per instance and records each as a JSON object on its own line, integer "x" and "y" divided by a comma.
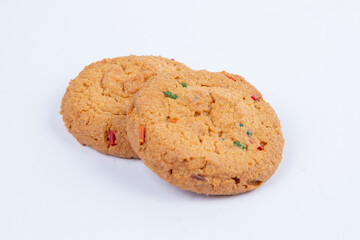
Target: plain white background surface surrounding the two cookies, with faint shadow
{"x": 304, "y": 56}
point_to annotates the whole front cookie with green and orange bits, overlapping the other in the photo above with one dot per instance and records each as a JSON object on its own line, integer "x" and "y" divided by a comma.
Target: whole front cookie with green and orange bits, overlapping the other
{"x": 210, "y": 133}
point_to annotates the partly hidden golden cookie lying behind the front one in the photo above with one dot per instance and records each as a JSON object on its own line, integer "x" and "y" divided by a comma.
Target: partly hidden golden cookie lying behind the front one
{"x": 95, "y": 103}
